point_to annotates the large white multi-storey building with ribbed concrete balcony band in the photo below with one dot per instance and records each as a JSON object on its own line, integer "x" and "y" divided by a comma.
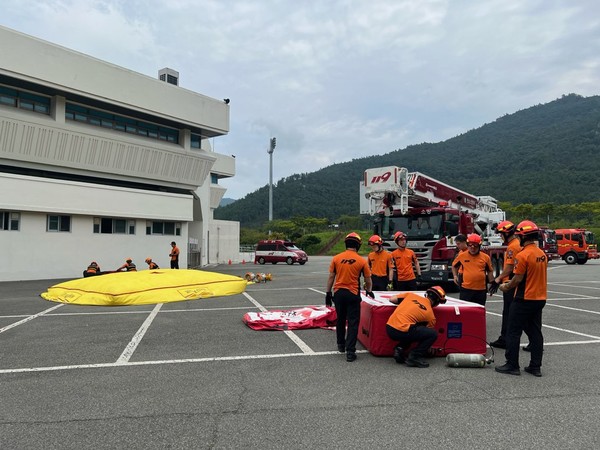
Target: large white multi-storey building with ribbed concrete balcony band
{"x": 99, "y": 163}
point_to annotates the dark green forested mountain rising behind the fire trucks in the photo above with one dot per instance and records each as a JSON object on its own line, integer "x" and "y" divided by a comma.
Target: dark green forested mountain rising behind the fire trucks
{"x": 547, "y": 153}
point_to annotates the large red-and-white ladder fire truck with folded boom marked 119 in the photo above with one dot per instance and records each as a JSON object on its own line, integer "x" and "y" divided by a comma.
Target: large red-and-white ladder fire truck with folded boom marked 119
{"x": 431, "y": 213}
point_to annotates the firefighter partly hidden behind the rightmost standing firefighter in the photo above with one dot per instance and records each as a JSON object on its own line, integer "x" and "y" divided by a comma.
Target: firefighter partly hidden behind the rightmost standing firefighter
{"x": 507, "y": 230}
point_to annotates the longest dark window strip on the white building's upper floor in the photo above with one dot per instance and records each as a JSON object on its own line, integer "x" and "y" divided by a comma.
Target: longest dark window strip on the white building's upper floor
{"x": 124, "y": 124}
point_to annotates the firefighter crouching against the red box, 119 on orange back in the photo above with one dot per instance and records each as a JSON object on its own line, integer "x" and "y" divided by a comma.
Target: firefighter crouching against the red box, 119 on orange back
{"x": 413, "y": 321}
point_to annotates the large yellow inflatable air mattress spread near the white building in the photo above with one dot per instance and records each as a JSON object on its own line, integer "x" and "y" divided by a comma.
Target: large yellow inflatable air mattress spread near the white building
{"x": 145, "y": 287}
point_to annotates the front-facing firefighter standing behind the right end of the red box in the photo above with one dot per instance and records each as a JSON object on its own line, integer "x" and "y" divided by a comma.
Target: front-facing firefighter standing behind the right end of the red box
{"x": 476, "y": 271}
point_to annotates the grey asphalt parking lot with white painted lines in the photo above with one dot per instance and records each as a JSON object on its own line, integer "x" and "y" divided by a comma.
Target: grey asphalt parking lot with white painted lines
{"x": 192, "y": 375}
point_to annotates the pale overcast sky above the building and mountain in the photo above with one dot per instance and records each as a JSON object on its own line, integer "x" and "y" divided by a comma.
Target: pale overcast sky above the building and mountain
{"x": 335, "y": 80}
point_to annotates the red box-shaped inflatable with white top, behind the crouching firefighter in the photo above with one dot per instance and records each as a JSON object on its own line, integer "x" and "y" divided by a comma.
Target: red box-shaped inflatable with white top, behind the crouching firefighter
{"x": 460, "y": 325}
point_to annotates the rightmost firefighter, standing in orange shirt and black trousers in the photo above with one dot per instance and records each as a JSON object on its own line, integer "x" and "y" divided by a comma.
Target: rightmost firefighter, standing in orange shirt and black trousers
{"x": 531, "y": 290}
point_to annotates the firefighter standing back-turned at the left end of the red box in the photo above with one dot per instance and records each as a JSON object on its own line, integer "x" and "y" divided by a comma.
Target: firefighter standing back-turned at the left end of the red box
{"x": 345, "y": 271}
